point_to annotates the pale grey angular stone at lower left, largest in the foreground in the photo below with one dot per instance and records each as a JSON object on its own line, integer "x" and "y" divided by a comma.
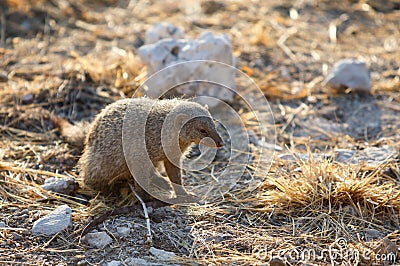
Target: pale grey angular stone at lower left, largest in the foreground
{"x": 54, "y": 222}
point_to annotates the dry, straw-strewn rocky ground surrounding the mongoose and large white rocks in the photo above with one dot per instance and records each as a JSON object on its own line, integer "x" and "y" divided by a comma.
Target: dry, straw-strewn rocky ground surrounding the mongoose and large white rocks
{"x": 331, "y": 194}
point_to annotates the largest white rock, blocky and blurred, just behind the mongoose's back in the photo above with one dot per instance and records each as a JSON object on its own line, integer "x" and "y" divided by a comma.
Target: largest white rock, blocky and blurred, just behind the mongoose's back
{"x": 213, "y": 66}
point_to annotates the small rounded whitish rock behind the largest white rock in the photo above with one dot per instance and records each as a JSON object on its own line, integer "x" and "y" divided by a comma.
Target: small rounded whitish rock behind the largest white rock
{"x": 161, "y": 31}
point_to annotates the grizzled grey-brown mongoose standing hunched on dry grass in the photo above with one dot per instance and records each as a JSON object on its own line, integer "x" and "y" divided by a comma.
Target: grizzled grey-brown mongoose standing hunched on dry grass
{"x": 103, "y": 166}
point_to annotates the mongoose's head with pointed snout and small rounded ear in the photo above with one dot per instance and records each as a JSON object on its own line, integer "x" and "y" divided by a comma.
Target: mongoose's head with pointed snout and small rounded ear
{"x": 196, "y": 125}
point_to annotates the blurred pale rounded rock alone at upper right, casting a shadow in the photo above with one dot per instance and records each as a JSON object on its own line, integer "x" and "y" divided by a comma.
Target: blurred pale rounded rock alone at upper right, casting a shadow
{"x": 349, "y": 73}
